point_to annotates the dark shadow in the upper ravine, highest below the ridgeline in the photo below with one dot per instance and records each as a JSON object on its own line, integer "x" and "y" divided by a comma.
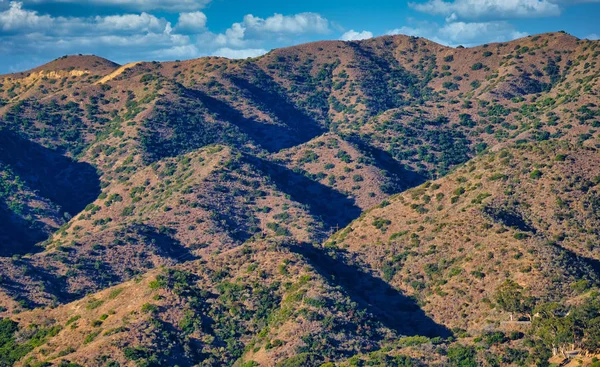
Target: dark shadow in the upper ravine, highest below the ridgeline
{"x": 301, "y": 126}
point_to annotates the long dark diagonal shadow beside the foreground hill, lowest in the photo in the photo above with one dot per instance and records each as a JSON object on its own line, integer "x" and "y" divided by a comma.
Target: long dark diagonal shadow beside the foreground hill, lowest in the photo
{"x": 395, "y": 310}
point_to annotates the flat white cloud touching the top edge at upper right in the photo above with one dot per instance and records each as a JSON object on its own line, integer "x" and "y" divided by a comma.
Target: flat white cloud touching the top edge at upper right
{"x": 489, "y": 9}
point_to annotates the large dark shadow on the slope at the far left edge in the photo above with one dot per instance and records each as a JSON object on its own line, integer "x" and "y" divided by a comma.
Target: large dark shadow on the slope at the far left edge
{"x": 64, "y": 181}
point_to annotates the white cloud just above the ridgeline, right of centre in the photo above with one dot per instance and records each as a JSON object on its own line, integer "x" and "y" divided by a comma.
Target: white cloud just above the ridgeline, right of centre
{"x": 461, "y": 33}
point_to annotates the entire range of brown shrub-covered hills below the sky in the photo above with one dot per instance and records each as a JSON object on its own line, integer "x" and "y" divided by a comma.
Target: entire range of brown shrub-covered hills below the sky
{"x": 386, "y": 202}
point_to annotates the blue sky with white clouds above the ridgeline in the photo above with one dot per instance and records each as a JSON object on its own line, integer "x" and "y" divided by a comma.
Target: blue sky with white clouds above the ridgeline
{"x": 33, "y": 32}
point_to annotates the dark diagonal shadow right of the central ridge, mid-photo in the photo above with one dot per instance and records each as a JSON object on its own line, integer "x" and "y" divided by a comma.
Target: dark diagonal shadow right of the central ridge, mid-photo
{"x": 334, "y": 208}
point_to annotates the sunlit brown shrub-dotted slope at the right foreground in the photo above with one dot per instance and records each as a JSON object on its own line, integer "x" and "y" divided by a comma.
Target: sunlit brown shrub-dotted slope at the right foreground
{"x": 525, "y": 213}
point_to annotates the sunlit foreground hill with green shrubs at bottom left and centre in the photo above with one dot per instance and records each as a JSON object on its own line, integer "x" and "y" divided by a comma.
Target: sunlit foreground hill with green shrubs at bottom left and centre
{"x": 267, "y": 298}
